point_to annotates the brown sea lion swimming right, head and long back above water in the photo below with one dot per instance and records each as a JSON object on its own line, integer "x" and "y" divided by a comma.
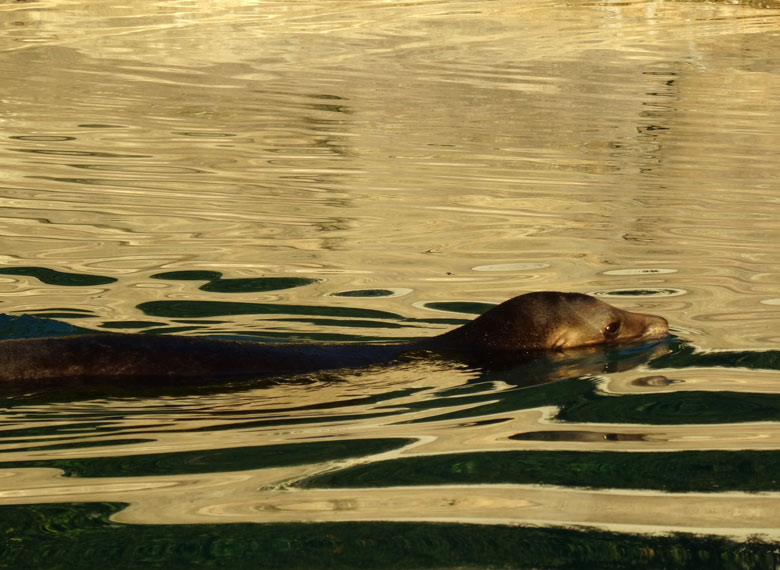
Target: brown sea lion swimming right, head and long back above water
{"x": 530, "y": 323}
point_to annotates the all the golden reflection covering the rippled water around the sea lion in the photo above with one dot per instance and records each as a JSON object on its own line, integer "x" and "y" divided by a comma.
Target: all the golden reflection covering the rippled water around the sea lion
{"x": 447, "y": 150}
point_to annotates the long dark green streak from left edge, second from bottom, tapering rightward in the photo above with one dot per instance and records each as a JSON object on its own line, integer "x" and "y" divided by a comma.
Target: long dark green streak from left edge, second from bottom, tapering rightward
{"x": 214, "y": 460}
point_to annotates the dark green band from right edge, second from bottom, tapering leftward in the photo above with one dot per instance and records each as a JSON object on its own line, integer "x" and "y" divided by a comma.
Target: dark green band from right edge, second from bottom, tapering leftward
{"x": 682, "y": 471}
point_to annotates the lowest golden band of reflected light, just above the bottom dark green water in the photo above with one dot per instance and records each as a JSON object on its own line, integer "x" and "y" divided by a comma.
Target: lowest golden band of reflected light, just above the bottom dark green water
{"x": 250, "y": 497}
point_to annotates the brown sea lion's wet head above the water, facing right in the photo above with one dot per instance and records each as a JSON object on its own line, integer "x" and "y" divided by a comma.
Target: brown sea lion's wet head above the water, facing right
{"x": 553, "y": 321}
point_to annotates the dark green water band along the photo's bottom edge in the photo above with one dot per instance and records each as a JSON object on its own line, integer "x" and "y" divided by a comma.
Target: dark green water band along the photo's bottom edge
{"x": 81, "y": 535}
